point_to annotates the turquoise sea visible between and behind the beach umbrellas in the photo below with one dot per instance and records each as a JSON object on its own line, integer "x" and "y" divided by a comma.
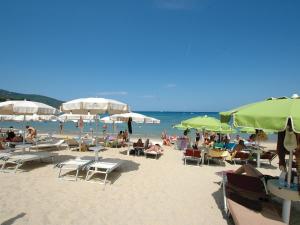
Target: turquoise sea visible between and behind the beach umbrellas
{"x": 167, "y": 120}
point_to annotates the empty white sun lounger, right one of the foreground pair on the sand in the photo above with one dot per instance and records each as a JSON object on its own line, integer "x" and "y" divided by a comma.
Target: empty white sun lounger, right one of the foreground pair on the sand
{"x": 104, "y": 166}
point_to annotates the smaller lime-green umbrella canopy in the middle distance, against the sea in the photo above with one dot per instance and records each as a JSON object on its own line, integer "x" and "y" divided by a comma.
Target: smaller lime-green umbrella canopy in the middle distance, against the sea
{"x": 204, "y": 122}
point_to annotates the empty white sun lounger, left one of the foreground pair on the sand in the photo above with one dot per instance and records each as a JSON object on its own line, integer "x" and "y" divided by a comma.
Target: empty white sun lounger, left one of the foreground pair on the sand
{"x": 72, "y": 165}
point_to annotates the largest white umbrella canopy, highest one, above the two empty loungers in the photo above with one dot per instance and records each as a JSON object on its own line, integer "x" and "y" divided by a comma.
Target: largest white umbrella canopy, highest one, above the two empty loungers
{"x": 94, "y": 106}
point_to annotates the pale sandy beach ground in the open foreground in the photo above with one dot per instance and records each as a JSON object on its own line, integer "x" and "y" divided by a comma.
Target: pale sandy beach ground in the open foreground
{"x": 144, "y": 191}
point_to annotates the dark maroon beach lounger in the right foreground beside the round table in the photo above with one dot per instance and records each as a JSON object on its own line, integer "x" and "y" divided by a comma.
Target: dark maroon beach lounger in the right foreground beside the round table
{"x": 245, "y": 199}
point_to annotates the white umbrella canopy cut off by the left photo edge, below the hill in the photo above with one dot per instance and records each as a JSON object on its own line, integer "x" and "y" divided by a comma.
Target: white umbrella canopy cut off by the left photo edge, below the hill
{"x": 23, "y": 107}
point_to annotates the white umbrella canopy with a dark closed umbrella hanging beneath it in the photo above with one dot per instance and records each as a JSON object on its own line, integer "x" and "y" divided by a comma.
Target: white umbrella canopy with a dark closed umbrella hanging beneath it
{"x": 136, "y": 117}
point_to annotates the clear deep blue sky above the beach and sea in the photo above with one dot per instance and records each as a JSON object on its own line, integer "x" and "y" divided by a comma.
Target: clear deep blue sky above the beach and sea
{"x": 173, "y": 55}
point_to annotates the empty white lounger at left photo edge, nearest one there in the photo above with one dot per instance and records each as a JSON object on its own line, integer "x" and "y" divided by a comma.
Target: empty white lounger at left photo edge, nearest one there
{"x": 19, "y": 159}
